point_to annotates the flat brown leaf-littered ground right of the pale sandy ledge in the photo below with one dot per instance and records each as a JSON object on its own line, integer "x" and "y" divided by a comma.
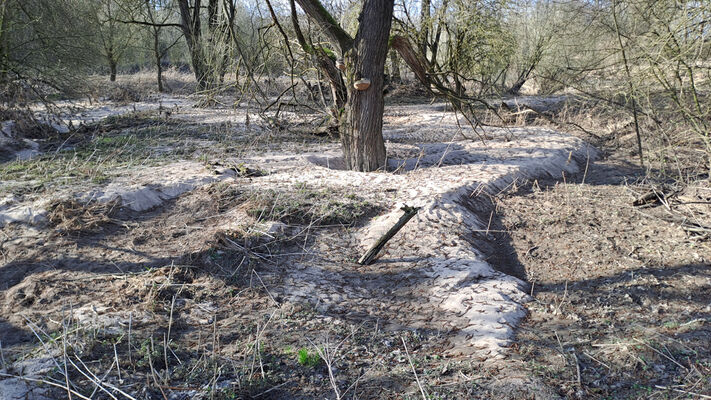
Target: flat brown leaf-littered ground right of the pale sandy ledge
{"x": 623, "y": 293}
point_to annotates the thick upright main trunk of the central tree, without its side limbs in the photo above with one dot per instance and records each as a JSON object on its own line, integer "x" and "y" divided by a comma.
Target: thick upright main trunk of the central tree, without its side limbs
{"x": 362, "y": 122}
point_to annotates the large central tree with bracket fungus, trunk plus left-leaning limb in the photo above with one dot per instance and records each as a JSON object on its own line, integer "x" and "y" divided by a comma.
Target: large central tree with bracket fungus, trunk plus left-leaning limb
{"x": 361, "y": 62}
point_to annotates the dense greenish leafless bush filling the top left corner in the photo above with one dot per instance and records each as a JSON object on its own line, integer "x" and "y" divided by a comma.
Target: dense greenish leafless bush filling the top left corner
{"x": 45, "y": 46}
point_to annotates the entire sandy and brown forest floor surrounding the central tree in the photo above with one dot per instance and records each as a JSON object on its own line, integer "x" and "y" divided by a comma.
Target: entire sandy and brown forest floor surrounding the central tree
{"x": 181, "y": 252}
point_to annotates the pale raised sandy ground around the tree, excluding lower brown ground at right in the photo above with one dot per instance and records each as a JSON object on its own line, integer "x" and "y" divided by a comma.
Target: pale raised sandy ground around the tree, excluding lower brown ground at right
{"x": 173, "y": 249}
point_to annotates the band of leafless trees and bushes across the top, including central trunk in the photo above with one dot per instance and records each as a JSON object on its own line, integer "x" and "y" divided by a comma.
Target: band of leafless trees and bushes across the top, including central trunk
{"x": 648, "y": 57}
